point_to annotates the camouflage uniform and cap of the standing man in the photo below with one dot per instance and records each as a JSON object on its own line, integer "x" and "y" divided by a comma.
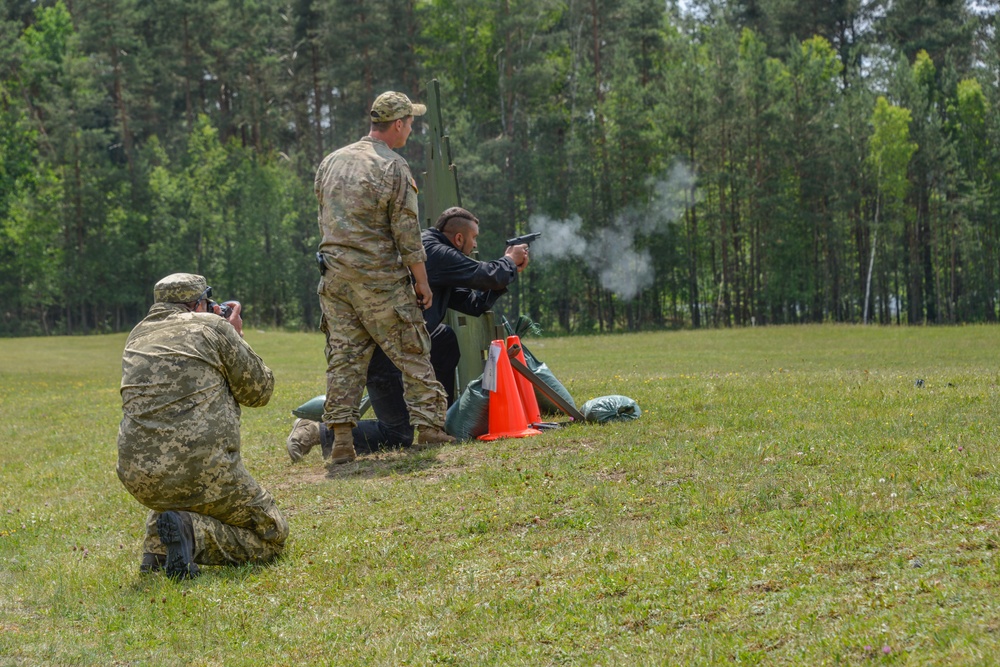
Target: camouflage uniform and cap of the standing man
{"x": 370, "y": 235}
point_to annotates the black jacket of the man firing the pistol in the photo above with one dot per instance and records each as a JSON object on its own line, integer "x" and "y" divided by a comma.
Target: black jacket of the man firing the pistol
{"x": 460, "y": 282}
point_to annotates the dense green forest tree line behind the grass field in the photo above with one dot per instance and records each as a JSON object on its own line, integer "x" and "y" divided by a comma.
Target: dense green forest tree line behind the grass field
{"x": 704, "y": 164}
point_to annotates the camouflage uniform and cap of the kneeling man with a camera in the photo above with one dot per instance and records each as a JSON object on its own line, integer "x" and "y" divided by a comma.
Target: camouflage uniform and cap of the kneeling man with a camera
{"x": 184, "y": 376}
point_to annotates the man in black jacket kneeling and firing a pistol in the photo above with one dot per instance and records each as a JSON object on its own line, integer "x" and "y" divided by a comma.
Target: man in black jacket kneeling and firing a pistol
{"x": 458, "y": 282}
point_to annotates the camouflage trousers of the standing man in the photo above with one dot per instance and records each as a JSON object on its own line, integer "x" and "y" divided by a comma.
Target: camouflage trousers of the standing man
{"x": 358, "y": 318}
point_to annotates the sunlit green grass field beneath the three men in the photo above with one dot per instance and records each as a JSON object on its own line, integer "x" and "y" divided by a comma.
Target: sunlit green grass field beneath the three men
{"x": 790, "y": 496}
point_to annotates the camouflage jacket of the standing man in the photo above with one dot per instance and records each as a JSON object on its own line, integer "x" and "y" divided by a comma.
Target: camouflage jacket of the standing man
{"x": 368, "y": 213}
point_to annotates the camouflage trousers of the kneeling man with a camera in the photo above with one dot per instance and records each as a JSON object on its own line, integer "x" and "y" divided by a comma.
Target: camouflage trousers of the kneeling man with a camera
{"x": 243, "y": 524}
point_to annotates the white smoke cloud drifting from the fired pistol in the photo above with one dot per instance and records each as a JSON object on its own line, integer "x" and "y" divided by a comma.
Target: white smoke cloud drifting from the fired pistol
{"x": 611, "y": 251}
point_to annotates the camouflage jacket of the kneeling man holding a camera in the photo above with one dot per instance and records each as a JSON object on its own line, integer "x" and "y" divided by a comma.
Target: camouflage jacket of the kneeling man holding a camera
{"x": 184, "y": 376}
